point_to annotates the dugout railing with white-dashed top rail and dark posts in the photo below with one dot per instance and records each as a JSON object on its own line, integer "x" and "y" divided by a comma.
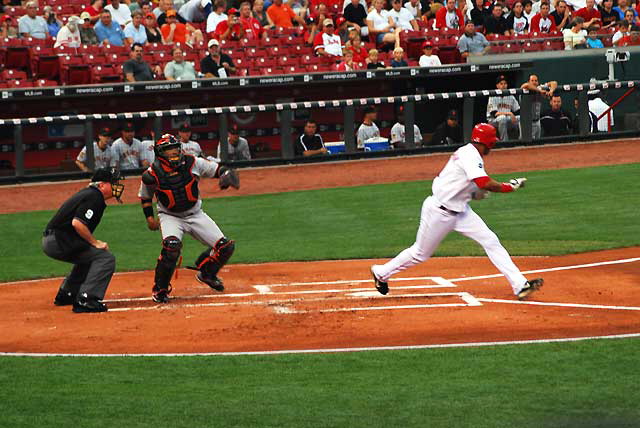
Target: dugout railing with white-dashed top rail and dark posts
{"x": 469, "y": 103}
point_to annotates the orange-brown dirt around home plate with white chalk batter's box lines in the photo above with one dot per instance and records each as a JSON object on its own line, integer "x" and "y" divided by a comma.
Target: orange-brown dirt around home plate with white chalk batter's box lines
{"x": 332, "y": 304}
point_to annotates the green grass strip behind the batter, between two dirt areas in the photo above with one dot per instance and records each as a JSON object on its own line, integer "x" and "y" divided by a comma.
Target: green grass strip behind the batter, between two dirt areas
{"x": 559, "y": 212}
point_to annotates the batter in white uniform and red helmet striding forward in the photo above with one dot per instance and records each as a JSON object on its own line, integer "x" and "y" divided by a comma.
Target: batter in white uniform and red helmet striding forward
{"x": 462, "y": 178}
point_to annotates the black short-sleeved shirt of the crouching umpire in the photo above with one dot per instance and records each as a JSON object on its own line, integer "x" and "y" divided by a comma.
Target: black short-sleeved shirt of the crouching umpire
{"x": 87, "y": 205}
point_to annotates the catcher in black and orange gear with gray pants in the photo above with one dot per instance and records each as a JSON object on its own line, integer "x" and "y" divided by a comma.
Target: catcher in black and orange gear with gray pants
{"x": 173, "y": 178}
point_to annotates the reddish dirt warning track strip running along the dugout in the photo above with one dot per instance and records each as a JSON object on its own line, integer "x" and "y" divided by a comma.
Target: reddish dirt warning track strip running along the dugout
{"x": 354, "y": 173}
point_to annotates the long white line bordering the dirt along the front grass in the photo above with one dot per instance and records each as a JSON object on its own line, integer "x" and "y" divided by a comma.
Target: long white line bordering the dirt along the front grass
{"x": 339, "y": 350}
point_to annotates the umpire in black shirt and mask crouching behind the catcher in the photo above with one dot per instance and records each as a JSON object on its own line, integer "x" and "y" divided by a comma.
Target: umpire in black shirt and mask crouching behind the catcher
{"x": 69, "y": 238}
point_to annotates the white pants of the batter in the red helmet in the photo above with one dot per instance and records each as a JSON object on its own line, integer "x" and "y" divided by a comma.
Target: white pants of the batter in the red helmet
{"x": 435, "y": 225}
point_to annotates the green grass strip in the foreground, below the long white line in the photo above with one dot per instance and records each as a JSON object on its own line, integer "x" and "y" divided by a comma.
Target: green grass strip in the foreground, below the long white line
{"x": 548, "y": 385}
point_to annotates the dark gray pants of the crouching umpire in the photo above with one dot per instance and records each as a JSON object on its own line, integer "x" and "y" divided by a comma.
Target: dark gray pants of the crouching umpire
{"x": 92, "y": 270}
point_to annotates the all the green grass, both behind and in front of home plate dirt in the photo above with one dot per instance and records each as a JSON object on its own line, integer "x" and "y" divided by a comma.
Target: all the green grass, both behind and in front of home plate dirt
{"x": 582, "y": 384}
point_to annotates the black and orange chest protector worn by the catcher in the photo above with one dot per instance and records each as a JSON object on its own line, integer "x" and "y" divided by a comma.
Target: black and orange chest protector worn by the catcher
{"x": 177, "y": 189}
